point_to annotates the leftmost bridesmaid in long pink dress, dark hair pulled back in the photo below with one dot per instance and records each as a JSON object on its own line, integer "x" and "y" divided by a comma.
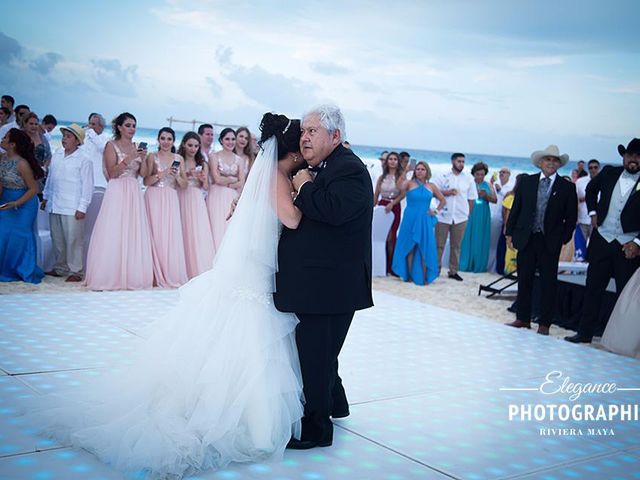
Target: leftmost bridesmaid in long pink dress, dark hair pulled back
{"x": 119, "y": 256}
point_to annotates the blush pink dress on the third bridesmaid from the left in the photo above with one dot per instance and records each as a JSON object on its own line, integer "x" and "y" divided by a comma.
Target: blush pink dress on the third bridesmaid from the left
{"x": 196, "y": 229}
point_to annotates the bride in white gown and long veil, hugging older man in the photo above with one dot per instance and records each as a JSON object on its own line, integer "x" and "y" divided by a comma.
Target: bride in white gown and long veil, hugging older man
{"x": 218, "y": 379}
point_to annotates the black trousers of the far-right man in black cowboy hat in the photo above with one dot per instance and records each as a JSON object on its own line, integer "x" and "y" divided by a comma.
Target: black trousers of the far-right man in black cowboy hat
{"x": 606, "y": 260}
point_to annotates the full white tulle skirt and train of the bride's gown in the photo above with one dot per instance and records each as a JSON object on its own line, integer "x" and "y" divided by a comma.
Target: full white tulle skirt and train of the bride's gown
{"x": 217, "y": 381}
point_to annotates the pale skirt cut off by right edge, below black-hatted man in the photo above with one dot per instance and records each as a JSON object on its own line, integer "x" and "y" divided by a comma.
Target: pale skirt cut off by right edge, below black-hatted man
{"x": 622, "y": 334}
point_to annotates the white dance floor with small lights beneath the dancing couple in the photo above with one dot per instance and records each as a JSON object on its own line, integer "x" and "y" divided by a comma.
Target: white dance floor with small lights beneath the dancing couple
{"x": 427, "y": 388}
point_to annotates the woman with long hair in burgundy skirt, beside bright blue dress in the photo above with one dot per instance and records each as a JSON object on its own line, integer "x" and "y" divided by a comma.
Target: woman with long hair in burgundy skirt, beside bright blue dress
{"x": 388, "y": 190}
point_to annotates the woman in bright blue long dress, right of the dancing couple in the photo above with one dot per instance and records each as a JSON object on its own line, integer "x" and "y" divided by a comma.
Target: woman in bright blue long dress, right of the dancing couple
{"x": 415, "y": 256}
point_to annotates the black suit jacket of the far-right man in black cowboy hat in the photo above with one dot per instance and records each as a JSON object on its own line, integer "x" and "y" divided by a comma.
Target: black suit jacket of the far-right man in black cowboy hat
{"x": 603, "y": 185}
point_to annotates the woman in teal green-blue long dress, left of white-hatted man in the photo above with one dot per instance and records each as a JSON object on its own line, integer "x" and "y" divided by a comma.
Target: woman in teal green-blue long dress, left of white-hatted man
{"x": 477, "y": 236}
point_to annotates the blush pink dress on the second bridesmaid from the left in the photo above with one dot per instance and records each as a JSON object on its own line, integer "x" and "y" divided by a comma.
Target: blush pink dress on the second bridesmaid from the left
{"x": 163, "y": 210}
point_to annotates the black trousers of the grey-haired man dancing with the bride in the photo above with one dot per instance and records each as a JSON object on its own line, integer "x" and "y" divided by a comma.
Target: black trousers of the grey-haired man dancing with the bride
{"x": 320, "y": 339}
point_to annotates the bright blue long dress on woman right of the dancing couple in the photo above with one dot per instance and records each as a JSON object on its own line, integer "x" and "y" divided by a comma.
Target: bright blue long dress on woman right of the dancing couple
{"x": 417, "y": 235}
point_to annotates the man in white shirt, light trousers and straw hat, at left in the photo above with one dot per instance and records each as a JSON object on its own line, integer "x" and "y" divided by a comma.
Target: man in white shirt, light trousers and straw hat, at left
{"x": 67, "y": 195}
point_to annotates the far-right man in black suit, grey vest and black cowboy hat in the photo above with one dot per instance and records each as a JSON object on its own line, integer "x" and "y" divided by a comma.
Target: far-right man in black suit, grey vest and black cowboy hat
{"x": 614, "y": 247}
